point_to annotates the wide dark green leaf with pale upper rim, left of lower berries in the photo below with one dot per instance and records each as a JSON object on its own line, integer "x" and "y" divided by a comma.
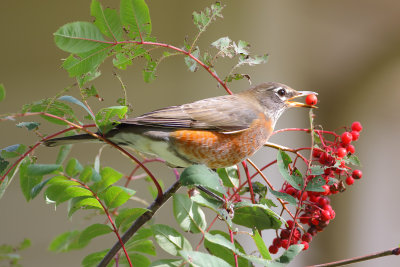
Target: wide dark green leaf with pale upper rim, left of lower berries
{"x": 256, "y": 216}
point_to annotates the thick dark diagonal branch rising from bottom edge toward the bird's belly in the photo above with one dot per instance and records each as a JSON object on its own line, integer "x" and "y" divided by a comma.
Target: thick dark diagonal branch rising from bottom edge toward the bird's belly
{"x": 139, "y": 223}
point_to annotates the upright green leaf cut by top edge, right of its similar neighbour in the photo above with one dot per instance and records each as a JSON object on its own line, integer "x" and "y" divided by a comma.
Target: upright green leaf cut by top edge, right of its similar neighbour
{"x": 135, "y": 16}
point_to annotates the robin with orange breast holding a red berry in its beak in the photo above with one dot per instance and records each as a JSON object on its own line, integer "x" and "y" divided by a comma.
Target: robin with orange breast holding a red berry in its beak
{"x": 218, "y": 132}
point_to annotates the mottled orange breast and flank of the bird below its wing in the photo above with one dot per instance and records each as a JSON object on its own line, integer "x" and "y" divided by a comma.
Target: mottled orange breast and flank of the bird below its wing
{"x": 216, "y": 149}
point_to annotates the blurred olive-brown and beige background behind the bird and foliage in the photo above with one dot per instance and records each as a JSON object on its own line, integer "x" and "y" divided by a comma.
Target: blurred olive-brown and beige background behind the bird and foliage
{"x": 347, "y": 50}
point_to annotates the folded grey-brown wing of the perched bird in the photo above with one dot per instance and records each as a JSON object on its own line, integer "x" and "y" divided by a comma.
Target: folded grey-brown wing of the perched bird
{"x": 223, "y": 113}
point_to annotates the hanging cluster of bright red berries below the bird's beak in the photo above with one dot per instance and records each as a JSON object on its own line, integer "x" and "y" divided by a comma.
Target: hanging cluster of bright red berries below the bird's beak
{"x": 334, "y": 157}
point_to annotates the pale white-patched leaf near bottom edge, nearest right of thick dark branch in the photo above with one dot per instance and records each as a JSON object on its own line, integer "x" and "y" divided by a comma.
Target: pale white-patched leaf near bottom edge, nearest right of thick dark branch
{"x": 170, "y": 240}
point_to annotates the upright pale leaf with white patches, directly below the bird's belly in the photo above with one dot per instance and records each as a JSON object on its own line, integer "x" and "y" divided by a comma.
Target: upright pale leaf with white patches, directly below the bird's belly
{"x": 188, "y": 214}
